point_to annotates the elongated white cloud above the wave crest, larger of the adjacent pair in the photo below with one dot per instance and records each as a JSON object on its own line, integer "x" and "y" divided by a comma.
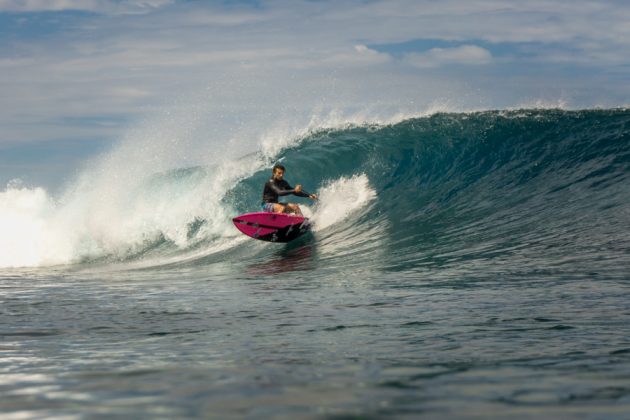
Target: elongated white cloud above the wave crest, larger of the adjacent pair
{"x": 463, "y": 55}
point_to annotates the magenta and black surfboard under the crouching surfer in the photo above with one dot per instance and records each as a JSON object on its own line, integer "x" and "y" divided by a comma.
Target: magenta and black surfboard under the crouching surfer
{"x": 272, "y": 227}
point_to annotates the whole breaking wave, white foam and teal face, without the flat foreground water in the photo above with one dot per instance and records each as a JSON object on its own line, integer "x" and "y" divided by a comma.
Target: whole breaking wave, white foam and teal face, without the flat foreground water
{"x": 507, "y": 191}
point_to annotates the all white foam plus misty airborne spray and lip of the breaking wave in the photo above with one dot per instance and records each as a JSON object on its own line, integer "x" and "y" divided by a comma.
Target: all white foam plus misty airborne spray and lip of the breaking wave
{"x": 128, "y": 200}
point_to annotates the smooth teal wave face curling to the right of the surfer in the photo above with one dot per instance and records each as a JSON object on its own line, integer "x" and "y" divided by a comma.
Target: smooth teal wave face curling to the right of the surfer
{"x": 502, "y": 191}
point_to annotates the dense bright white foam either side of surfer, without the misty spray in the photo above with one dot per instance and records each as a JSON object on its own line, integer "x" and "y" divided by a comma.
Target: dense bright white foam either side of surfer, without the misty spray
{"x": 119, "y": 222}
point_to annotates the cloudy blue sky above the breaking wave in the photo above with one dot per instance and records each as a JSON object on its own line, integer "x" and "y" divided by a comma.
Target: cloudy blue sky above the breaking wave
{"x": 75, "y": 75}
